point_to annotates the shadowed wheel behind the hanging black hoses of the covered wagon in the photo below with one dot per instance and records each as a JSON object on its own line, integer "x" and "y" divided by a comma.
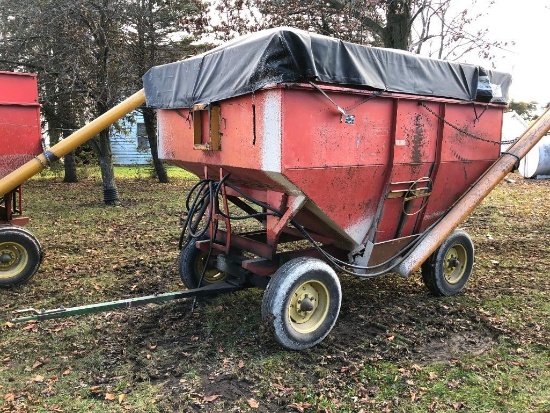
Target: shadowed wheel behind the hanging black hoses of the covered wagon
{"x": 191, "y": 264}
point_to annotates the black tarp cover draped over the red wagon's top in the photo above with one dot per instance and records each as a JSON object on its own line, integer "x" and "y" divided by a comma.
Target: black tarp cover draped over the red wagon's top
{"x": 285, "y": 55}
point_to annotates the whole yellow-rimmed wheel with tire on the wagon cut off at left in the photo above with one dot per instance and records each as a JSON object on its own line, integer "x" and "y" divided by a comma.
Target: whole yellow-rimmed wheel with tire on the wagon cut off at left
{"x": 20, "y": 256}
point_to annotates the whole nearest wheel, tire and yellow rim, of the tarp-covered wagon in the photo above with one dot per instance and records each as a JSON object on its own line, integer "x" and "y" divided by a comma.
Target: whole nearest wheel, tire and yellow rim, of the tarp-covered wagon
{"x": 302, "y": 302}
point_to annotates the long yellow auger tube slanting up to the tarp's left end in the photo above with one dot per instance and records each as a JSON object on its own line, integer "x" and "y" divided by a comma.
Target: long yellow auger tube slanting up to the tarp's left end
{"x": 84, "y": 134}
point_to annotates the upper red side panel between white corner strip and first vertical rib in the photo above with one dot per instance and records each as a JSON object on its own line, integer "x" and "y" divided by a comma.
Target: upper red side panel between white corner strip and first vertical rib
{"x": 316, "y": 137}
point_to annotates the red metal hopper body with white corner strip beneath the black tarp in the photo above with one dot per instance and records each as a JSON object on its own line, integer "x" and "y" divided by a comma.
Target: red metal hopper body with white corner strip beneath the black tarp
{"x": 393, "y": 171}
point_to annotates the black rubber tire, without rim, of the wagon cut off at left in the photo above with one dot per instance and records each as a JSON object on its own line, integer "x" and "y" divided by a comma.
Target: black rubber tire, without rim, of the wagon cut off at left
{"x": 29, "y": 245}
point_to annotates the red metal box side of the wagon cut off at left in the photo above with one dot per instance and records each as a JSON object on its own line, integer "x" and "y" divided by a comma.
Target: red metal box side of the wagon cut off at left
{"x": 20, "y": 132}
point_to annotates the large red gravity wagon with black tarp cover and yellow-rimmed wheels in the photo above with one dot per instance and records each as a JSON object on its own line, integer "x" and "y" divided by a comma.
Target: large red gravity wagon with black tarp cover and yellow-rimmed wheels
{"x": 345, "y": 156}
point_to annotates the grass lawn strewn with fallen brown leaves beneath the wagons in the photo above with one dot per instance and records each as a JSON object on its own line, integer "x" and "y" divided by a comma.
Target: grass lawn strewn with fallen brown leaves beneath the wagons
{"x": 395, "y": 348}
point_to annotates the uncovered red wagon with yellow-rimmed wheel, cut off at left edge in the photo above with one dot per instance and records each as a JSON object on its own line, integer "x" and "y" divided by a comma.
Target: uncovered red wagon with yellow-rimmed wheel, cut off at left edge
{"x": 20, "y": 141}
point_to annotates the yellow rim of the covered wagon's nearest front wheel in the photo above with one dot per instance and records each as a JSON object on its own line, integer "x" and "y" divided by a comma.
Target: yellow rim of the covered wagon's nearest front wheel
{"x": 308, "y": 306}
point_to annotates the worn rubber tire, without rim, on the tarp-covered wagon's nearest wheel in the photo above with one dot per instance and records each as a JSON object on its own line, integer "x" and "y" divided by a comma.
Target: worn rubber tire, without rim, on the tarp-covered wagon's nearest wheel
{"x": 277, "y": 296}
